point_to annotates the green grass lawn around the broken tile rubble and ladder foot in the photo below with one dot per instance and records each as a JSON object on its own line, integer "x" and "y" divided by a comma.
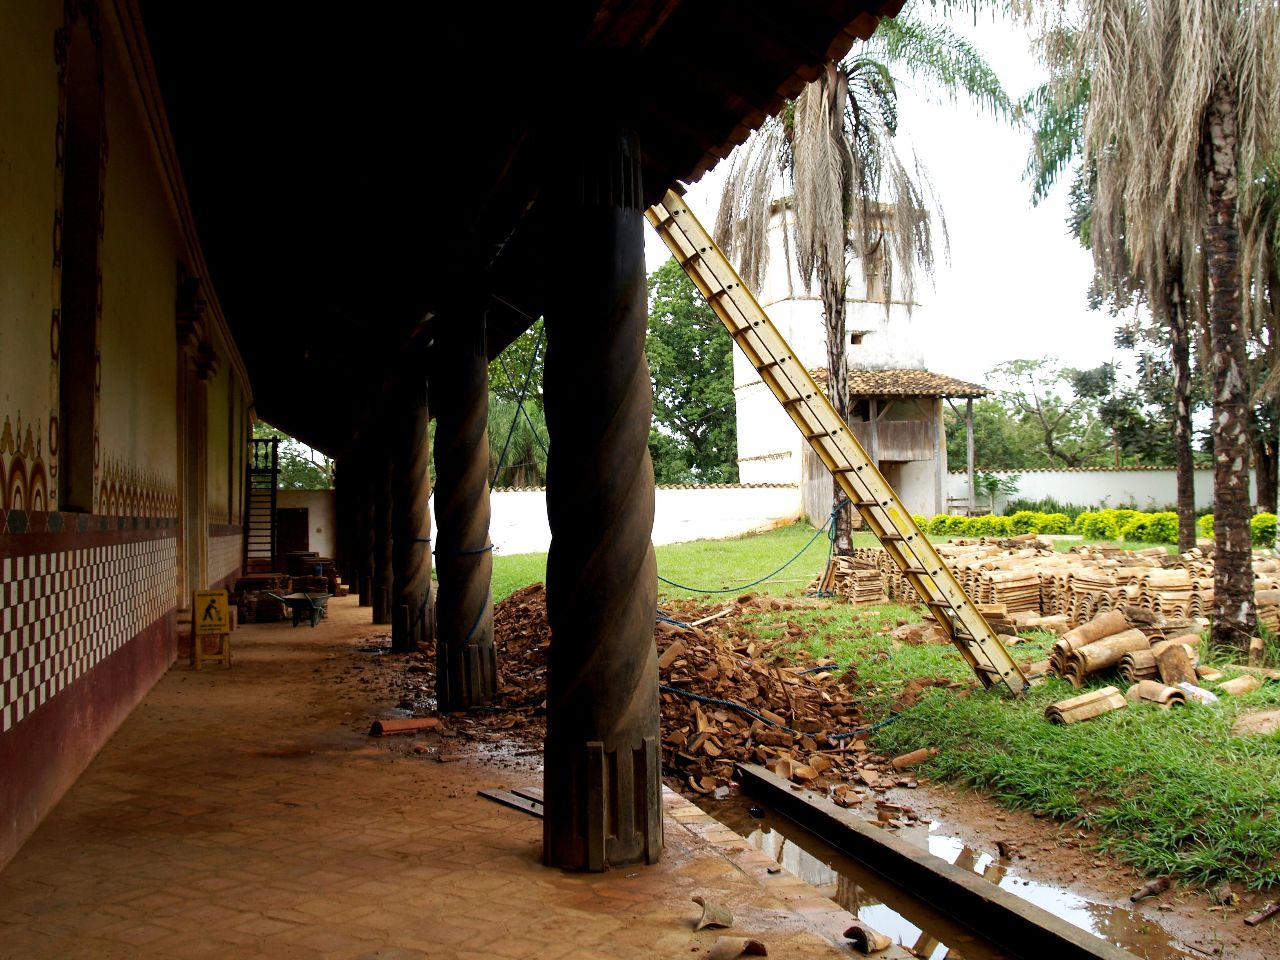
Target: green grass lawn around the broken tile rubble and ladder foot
{"x": 1165, "y": 792}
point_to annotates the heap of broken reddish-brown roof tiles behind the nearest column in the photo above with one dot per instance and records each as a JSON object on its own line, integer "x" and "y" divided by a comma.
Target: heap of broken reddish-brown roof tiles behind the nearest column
{"x": 728, "y": 696}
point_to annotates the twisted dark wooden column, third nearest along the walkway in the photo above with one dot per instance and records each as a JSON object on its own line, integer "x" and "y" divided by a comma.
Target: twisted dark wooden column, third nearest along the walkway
{"x": 412, "y": 520}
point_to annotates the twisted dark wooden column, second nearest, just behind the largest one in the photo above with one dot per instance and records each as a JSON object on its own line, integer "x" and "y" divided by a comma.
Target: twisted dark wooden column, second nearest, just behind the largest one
{"x": 467, "y": 666}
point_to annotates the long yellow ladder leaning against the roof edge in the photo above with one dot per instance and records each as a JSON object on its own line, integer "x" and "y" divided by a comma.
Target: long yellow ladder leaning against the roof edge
{"x": 833, "y": 441}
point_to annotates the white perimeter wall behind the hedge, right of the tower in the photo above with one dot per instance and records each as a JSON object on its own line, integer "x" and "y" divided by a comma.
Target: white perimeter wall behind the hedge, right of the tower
{"x": 1100, "y": 488}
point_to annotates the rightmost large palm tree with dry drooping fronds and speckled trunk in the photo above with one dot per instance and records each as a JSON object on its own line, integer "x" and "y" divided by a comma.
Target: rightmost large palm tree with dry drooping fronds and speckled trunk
{"x": 1182, "y": 100}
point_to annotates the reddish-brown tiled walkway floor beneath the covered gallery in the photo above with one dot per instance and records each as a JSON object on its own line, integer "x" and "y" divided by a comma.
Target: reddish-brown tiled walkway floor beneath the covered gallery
{"x": 244, "y": 813}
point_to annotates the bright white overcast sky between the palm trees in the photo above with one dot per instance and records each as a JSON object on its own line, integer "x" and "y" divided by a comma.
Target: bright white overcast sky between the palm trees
{"x": 1017, "y": 282}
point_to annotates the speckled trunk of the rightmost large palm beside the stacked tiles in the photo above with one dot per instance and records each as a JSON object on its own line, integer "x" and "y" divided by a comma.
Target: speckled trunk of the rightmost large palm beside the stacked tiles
{"x": 1235, "y": 616}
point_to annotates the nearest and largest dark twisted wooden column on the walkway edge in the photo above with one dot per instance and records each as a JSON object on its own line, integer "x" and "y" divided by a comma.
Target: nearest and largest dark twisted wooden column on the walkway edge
{"x": 602, "y": 779}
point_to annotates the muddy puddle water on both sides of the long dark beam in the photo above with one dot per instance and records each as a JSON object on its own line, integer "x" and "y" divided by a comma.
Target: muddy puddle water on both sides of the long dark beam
{"x": 915, "y": 925}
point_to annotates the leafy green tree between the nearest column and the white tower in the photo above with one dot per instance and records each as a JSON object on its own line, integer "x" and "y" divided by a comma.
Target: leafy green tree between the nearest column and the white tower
{"x": 694, "y": 438}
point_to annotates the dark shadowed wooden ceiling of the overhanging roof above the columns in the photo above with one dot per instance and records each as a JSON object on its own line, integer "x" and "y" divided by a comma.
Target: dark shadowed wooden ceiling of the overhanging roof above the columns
{"x": 359, "y": 173}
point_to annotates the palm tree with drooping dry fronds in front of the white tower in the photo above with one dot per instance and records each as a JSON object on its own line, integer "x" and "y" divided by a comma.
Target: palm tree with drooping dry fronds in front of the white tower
{"x": 852, "y": 195}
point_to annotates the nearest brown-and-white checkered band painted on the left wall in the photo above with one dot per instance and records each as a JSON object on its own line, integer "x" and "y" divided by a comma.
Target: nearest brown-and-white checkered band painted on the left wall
{"x": 65, "y": 612}
